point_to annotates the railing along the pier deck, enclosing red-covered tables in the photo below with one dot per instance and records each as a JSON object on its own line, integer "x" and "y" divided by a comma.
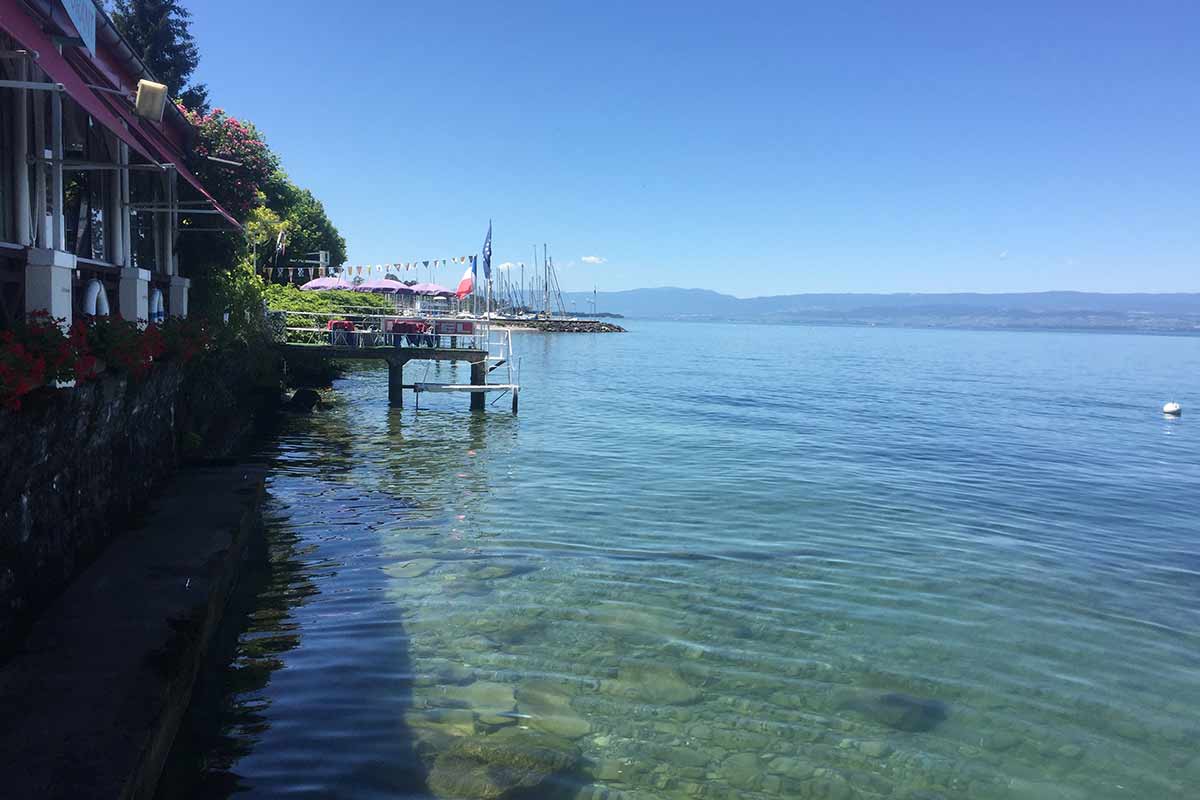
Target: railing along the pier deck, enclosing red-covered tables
{"x": 353, "y": 329}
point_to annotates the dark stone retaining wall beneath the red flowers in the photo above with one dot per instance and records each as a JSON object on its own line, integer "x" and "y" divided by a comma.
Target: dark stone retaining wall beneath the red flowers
{"x": 79, "y": 465}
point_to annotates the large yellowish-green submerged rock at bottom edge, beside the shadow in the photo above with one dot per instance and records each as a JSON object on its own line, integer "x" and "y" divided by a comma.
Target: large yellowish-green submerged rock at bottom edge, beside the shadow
{"x": 511, "y": 763}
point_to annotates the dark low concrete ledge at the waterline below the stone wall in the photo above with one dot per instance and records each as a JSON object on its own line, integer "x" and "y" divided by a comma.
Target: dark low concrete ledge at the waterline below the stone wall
{"x": 94, "y": 697}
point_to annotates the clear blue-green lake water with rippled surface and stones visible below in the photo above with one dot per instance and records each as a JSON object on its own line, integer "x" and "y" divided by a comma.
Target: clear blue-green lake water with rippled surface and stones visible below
{"x": 813, "y": 564}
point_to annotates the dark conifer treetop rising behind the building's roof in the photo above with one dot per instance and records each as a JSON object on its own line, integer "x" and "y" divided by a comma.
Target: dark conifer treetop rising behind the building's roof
{"x": 159, "y": 32}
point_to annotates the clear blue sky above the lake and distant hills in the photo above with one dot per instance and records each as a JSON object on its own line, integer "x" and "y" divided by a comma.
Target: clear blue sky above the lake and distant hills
{"x": 751, "y": 148}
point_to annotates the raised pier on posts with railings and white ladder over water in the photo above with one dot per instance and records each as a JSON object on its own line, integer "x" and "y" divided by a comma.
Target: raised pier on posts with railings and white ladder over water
{"x": 470, "y": 345}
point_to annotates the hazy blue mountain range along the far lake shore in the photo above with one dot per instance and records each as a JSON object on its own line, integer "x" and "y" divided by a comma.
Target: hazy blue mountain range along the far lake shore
{"x": 1042, "y": 310}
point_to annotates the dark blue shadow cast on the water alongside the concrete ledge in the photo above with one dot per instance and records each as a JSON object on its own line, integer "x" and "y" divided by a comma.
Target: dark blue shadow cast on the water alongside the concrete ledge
{"x": 304, "y": 631}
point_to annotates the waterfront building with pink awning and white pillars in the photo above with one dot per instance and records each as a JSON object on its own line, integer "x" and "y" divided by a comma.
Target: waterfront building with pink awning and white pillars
{"x": 92, "y": 193}
